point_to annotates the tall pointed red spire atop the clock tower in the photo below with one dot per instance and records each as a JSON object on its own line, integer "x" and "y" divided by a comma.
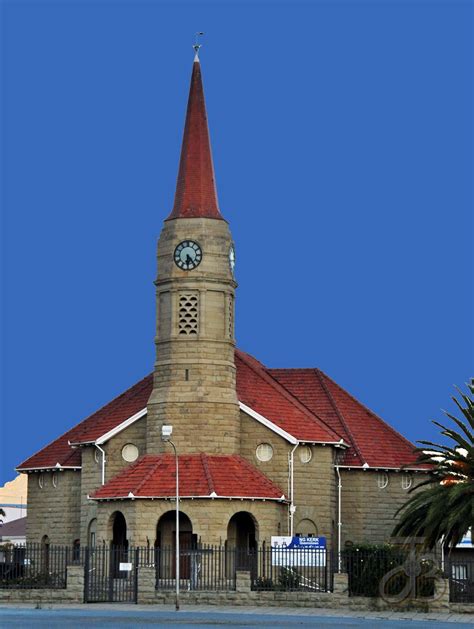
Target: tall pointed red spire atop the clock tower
{"x": 196, "y": 194}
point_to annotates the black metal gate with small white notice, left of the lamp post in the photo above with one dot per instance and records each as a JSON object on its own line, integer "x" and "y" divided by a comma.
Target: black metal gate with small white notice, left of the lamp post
{"x": 111, "y": 575}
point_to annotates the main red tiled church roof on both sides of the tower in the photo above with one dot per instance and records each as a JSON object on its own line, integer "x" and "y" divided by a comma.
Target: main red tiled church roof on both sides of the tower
{"x": 305, "y": 403}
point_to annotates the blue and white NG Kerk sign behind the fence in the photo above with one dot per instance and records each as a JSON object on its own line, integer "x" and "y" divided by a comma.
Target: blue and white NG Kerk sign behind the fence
{"x": 298, "y": 551}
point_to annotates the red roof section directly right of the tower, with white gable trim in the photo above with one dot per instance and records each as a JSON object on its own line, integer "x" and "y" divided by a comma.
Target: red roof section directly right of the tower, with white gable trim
{"x": 257, "y": 389}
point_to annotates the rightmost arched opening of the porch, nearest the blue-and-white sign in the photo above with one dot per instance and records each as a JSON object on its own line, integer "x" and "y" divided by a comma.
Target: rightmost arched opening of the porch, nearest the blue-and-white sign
{"x": 242, "y": 541}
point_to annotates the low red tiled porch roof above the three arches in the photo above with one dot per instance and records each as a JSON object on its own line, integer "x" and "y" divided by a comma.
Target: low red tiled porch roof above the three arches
{"x": 200, "y": 475}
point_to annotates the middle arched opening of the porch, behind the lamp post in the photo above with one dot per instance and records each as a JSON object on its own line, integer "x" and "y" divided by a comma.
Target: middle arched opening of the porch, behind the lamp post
{"x": 165, "y": 545}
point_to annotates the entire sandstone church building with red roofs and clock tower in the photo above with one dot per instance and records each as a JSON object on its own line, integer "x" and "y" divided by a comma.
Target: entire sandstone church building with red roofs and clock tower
{"x": 262, "y": 451}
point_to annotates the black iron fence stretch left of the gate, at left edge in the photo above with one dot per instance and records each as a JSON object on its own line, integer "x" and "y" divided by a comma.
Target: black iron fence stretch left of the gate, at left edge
{"x": 35, "y": 566}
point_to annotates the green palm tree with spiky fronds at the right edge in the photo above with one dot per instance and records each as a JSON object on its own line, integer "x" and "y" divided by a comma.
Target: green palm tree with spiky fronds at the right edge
{"x": 444, "y": 510}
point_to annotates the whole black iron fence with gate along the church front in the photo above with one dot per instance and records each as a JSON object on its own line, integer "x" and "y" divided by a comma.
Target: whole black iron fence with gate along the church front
{"x": 111, "y": 573}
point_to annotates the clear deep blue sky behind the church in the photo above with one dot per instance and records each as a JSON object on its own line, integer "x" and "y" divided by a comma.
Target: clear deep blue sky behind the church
{"x": 342, "y": 140}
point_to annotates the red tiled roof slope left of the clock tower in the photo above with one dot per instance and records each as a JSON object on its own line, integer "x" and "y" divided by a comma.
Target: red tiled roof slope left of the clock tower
{"x": 59, "y": 453}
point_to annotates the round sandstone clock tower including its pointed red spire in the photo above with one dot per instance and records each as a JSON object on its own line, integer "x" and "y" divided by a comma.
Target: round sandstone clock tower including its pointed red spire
{"x": 194, "y": 378}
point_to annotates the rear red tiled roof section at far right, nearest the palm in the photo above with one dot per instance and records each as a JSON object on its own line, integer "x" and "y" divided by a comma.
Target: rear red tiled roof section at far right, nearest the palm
{"x": 373, "y": 441}
